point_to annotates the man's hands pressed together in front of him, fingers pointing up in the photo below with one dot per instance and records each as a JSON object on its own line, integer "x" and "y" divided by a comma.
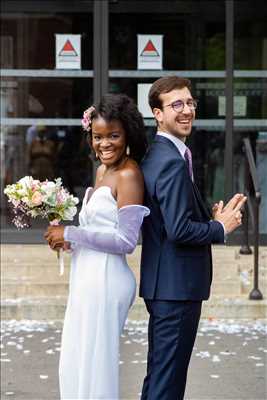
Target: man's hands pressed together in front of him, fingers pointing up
{"x": 230, "y": 215}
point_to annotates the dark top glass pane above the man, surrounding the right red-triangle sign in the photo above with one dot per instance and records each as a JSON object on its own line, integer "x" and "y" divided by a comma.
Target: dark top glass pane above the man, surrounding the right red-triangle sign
{"x": 192, "y": 37}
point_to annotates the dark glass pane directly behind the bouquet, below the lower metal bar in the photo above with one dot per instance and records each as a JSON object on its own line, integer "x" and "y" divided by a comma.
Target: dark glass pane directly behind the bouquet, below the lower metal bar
{"x": 45, "y": 152}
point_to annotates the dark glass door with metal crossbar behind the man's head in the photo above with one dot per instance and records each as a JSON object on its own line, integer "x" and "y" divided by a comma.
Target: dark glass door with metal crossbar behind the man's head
{"x": 192, "y": 35}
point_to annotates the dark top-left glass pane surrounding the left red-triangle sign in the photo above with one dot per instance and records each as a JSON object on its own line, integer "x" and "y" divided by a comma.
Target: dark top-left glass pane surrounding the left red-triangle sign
{"x": 28, "y": 40}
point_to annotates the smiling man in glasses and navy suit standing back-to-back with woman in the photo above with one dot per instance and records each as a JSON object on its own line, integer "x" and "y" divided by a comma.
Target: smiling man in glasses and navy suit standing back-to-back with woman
{"x": 176, "y": 266}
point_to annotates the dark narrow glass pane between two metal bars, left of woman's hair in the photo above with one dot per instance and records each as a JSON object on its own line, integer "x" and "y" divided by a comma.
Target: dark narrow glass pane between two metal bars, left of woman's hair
{"x": 45, "y": 97}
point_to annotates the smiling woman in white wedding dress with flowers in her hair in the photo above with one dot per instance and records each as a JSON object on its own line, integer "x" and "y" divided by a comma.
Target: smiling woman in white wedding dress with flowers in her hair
{"x": 102, "y": 286}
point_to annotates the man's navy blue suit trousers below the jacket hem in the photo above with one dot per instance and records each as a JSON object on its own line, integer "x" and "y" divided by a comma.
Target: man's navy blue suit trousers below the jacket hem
{"x": 171, "y": 333}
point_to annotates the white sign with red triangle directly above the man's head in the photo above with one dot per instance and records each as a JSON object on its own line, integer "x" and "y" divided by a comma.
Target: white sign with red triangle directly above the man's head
{"x": 149, "y": 51}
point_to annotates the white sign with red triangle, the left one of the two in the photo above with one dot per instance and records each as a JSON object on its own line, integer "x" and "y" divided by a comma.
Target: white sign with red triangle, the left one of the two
{"x": 68, "y": 51}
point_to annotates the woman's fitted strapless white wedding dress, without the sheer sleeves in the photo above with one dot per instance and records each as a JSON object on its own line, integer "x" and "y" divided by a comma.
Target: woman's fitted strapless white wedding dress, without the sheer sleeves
{"x": 102, "y": 289}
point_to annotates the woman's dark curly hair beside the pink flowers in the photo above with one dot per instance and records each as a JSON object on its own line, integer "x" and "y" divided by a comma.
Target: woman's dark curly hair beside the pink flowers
{"x": 122, "y": 108}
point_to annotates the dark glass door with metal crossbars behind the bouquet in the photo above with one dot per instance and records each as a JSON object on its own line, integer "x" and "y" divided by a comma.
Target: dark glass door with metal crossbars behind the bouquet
{"x": 41, "y": 106}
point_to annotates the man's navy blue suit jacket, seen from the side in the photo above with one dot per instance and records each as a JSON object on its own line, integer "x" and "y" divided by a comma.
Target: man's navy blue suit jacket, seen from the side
{"x": 176, "y": 259}
